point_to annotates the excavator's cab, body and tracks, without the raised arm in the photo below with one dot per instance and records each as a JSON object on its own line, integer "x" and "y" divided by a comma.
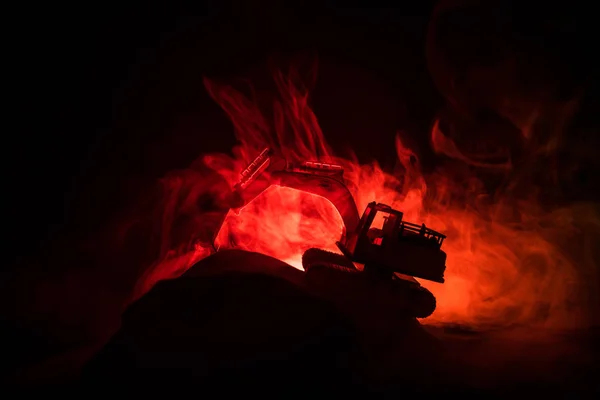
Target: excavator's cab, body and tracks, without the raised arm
{"x": 397, "y": 252}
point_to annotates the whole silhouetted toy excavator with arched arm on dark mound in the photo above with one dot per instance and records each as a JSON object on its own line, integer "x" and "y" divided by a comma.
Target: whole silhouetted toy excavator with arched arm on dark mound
{"x": 395, "y": 252}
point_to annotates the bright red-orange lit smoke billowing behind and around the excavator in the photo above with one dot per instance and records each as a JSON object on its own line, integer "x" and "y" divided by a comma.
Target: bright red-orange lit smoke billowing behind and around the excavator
{"x": 505, "y": 261}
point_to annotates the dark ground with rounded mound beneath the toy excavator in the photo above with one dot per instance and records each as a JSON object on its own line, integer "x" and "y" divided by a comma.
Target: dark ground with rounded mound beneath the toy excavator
{"x": 263, "y": 329}
